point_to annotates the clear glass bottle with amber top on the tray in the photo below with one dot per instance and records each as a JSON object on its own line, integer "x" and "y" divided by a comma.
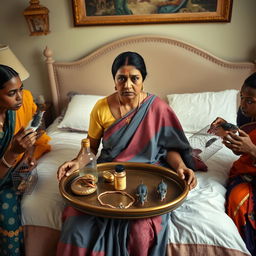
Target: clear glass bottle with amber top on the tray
{"x": 87, "y": 161}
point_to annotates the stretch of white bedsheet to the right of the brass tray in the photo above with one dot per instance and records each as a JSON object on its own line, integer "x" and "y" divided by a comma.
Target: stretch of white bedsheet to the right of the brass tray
{"x": 201, "y": 219}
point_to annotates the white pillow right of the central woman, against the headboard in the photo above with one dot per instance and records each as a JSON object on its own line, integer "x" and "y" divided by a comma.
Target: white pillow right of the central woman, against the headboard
{"x": 197, "y": 110}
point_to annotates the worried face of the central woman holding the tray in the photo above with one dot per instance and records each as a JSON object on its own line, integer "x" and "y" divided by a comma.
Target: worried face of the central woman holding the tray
{"x": 128, "y": 81}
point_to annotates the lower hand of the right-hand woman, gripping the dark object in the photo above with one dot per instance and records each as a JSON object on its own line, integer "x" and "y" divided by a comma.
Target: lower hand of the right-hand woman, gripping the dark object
{"x": 239, "y": 143}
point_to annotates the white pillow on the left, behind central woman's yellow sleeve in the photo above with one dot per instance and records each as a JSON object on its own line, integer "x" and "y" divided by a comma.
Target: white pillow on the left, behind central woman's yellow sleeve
{"x": 77, "y": 116}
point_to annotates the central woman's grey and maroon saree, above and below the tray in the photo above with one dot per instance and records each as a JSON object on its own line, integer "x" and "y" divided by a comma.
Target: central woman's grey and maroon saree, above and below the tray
{"x": 143, "y": 135}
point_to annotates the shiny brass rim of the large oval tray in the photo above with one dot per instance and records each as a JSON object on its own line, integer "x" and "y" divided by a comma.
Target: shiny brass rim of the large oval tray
{"x": 130, "y": 213}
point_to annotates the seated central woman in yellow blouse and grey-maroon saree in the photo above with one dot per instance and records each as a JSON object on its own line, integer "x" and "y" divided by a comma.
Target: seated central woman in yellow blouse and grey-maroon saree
{"x": 134, "y": 126}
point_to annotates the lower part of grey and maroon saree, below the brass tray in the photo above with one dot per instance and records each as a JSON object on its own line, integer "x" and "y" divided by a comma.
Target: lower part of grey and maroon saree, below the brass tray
{"x": 84, "y": 235}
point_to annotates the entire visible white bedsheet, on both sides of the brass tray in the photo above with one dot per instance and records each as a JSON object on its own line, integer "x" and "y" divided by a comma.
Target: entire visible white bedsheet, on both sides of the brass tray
{"x": 201, "y": 219}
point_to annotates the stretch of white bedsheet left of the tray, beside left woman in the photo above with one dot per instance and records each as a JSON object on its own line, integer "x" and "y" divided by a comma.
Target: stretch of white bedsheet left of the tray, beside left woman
{"x": 44, "y": 206}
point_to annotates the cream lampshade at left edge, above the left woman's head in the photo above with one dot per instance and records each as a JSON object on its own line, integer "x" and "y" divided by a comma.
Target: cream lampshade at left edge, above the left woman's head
{"x": 8, "y": 58}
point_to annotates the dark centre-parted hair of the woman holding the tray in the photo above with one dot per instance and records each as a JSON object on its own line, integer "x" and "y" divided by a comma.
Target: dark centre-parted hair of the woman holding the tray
{"x": 131, "y": 59}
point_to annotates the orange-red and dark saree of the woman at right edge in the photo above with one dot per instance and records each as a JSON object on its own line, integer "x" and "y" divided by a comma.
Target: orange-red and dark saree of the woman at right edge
{"x": 241, "y": 194}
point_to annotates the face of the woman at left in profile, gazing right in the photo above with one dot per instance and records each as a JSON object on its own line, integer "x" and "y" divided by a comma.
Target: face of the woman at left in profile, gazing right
{"x": 11, "y": 94}
